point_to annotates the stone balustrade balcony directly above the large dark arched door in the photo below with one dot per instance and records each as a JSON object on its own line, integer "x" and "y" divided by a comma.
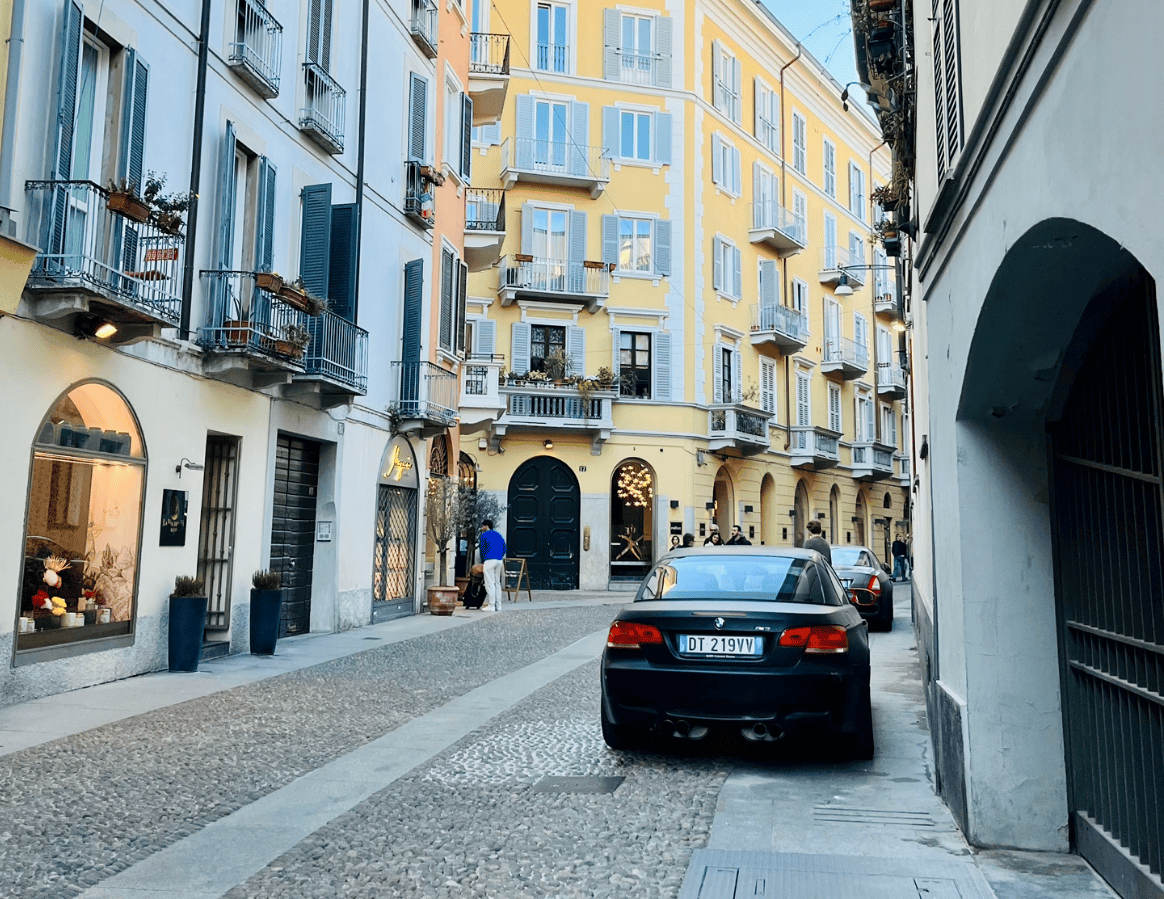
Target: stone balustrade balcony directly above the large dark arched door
{"x": 545, "y": 408}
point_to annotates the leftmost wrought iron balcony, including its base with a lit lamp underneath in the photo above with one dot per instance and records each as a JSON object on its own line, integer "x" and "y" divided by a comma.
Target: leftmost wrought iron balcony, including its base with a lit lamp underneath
{"x": 96, "y": 263}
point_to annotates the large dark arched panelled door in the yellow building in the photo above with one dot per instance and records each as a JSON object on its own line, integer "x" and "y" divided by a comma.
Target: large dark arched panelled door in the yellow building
{"x": 545, "y": 507}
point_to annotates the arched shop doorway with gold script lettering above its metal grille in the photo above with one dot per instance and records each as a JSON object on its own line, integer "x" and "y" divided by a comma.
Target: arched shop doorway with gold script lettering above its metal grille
{"x": 395, "y": 551}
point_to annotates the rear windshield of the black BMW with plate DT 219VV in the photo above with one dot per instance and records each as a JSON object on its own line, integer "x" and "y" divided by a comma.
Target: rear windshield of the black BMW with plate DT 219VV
{"x": 771, "y": 579}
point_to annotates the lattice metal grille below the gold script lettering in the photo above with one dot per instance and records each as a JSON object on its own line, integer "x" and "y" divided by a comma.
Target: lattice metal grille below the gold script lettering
{"x": 394, "y": 572}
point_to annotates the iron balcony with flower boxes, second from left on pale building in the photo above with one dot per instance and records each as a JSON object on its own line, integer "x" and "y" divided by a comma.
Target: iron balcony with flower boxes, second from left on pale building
{"x": 246, "y": 334}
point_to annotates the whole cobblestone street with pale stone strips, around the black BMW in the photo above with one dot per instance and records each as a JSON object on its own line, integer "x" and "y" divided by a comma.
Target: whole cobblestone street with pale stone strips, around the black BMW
{"x": 416, "y": 769}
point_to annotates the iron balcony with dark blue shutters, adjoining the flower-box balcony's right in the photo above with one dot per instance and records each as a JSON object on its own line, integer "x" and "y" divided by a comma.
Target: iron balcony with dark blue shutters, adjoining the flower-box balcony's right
{"x": 335, "y": 365}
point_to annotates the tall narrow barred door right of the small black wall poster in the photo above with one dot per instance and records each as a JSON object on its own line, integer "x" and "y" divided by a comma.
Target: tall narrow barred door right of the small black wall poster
{"x": 216, "y": 534}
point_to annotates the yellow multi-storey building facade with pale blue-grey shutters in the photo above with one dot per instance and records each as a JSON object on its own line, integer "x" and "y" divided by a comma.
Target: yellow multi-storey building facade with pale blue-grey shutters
{"x": 686, "y": 249}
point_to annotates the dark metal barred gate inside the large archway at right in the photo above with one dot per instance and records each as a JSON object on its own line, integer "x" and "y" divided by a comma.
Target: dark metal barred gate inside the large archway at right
{"x": 1110, "y": 546}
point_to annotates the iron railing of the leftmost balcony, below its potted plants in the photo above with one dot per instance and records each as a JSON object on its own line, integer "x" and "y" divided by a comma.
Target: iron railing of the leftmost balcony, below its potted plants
{"x": 87, "y": 246}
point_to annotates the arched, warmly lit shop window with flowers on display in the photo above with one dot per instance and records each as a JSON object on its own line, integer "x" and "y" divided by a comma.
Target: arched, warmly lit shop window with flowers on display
{"x": 83, "y": 533}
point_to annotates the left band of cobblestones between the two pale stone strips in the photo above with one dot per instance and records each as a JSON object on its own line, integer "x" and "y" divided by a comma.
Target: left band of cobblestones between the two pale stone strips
{"x": 77, "y": 811}
